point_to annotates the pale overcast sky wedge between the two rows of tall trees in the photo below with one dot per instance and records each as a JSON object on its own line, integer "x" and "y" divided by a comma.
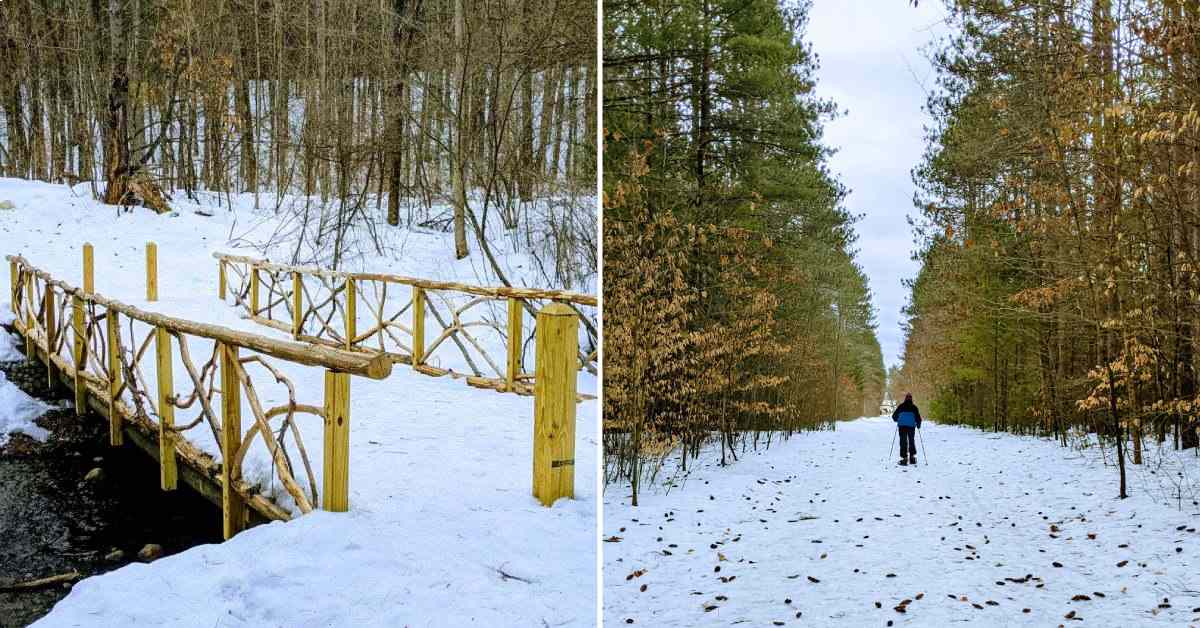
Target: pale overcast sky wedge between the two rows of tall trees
{"x": 875, "y": 69}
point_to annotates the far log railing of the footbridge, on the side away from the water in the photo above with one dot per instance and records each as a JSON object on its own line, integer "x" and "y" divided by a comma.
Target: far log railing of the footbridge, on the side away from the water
{"x": 467, "y": 332}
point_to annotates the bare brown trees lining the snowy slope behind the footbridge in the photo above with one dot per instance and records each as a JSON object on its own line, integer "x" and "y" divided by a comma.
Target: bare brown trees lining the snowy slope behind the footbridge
{"x": 386, "y": 105}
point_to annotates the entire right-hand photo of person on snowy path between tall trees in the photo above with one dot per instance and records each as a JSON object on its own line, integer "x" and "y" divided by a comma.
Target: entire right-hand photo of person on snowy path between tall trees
{"x": 815, "y": 208}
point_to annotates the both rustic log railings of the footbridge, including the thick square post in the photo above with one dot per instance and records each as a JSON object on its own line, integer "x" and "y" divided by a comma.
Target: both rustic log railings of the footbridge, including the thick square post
{"x": 101, "y": 350}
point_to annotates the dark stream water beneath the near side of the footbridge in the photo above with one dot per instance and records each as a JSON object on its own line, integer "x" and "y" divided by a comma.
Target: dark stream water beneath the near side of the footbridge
{"x": 53, "y": 523}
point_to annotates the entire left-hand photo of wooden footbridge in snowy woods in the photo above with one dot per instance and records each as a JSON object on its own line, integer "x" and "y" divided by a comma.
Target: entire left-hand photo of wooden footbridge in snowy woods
{"x": 353, "y": 246}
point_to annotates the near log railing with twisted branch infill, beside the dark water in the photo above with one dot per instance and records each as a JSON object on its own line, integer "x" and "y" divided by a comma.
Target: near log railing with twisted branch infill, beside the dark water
{"x": 103, "y": 350}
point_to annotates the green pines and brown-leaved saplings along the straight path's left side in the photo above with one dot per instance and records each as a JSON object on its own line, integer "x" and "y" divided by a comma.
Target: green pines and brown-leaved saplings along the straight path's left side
{"x": 735, "y": 309}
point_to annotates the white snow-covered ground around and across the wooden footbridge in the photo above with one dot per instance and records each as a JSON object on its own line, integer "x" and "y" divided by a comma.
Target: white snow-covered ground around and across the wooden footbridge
{"x": 442, "y": 530}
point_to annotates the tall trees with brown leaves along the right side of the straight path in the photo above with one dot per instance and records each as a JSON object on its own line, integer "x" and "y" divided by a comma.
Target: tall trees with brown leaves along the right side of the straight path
{"x": 1060, "y": 204}
